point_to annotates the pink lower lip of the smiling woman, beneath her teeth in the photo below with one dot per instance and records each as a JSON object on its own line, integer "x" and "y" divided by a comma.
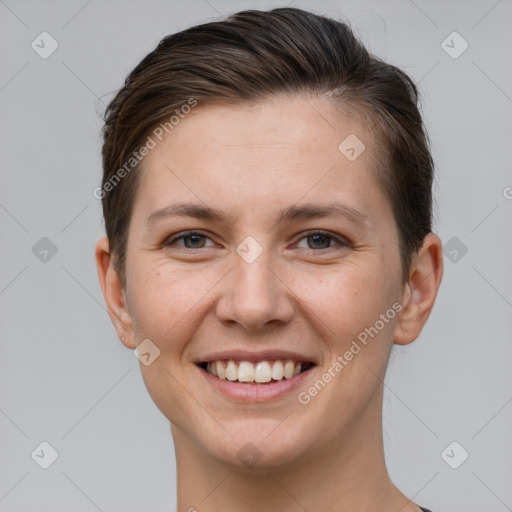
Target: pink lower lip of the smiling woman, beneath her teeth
{"x": 255, "y": 392}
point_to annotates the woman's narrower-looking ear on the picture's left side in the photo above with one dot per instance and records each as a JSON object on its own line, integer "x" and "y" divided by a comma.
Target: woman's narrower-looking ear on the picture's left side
{"x": 114, "y": 294}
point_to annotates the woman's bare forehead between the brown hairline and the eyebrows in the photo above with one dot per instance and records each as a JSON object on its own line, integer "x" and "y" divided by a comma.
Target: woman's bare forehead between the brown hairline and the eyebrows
{"x": 278, "y": 151}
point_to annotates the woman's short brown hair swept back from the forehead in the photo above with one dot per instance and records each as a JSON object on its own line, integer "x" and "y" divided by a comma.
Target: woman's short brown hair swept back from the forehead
{"x": 247, "y": 57}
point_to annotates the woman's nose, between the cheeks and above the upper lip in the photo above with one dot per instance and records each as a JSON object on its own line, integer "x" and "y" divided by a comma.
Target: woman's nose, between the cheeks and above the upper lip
{"x": 254, "y": 295}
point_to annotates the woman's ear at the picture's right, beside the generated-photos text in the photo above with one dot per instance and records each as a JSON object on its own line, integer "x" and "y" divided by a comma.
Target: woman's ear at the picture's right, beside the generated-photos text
{"x": 420, "y": 291}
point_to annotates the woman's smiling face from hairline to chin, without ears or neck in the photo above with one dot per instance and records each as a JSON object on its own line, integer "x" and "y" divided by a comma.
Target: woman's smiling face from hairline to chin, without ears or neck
{"x": 293, "y": 256}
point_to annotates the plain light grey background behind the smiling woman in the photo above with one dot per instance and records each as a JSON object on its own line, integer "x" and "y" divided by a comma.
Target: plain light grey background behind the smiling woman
{"x": 66, "y": 379}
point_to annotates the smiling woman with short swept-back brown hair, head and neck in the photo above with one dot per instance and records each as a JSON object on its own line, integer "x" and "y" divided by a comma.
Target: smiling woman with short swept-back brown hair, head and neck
{"x": 267, "y": 203}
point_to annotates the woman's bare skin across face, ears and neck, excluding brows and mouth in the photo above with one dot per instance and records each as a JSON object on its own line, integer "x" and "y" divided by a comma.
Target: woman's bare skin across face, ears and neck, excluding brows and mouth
{"x": 250, "y": 163}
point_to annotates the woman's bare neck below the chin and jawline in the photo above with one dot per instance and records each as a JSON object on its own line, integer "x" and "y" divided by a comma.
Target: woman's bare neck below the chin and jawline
{"x": 348, "y": 474}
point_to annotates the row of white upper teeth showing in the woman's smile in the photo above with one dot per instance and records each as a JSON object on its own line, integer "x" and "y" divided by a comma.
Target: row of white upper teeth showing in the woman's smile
{"x": 246, "y": 371}
